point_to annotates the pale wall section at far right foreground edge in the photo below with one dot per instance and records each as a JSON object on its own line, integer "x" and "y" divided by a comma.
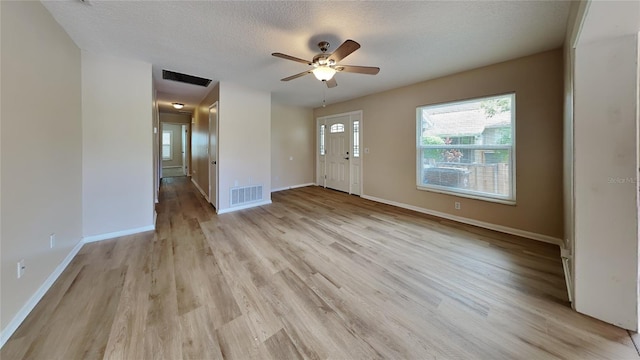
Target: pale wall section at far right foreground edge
{"x": 606, "y": 163}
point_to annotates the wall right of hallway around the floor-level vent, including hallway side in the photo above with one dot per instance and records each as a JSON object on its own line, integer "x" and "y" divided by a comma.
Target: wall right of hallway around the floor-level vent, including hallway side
{"x": 244, "y": 140}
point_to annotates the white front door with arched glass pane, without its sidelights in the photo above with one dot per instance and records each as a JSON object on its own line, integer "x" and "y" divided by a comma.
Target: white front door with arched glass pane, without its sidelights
{"x": 337, "y": 153}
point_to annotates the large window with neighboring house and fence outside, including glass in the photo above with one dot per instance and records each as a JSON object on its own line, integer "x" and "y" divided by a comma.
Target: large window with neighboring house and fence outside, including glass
{"x": 467, "y": 148}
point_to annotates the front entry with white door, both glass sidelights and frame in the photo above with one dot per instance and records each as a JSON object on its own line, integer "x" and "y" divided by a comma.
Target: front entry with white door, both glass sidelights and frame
{"x": 339, "y": 162}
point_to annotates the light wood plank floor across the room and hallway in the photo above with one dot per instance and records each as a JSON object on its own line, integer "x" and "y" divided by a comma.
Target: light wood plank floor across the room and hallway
{"x": 316, "y": 275}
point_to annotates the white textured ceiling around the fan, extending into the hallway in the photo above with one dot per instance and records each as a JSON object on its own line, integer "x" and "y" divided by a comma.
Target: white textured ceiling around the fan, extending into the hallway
{"x": 233, "y": 40}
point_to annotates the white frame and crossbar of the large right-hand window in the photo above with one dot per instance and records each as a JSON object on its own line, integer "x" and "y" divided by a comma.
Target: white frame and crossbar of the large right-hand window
{"x": 509, "y": 199}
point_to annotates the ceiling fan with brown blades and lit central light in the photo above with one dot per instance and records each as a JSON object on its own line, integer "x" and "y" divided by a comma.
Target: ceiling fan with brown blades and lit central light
{"x": 326, "y": 65}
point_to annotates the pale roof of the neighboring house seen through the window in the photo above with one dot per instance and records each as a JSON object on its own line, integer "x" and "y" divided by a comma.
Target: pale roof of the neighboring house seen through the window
{"x": 470, "y": 122}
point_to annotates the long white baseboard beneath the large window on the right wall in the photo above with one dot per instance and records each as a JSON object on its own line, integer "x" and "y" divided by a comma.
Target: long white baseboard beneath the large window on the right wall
{"x": 482, "y": 224}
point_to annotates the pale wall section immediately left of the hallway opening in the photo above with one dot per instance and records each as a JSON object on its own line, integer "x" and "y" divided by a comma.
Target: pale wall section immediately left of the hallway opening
{"x": 117, "y": 151}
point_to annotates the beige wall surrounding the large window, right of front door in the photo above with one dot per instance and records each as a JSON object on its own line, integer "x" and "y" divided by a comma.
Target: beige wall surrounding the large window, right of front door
{"x": 389, "y": 131}
